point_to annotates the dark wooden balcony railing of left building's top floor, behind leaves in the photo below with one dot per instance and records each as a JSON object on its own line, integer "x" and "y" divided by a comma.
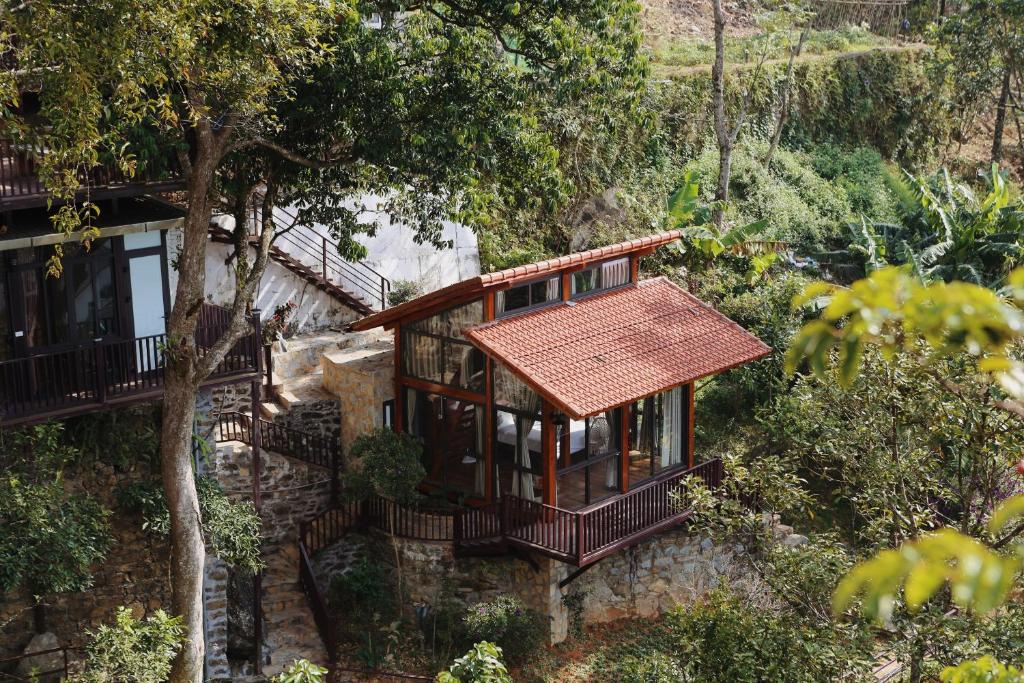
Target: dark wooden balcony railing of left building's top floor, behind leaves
{"x": 21, "y": 187}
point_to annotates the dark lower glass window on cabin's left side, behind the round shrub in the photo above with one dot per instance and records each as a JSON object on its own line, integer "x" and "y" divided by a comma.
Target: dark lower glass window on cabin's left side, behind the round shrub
{"x": 452, "y": 433}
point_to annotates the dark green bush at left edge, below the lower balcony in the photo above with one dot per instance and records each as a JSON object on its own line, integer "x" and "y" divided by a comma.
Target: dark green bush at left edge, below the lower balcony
{"x": 50, "y": 537}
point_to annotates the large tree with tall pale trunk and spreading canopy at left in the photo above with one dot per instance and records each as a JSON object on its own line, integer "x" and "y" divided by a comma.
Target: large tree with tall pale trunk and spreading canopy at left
{"x": 301, "y": 101}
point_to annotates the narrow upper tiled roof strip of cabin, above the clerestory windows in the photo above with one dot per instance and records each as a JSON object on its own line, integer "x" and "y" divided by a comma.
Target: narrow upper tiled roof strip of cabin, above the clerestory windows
{"x": 474, "y": 287}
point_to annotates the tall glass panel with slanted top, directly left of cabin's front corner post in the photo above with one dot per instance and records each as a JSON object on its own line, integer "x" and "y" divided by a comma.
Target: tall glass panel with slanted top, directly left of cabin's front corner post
{"x": 519, "y": 446}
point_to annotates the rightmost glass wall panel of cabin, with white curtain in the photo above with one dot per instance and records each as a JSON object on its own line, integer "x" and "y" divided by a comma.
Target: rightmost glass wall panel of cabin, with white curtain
{"x": 659, "y": 435}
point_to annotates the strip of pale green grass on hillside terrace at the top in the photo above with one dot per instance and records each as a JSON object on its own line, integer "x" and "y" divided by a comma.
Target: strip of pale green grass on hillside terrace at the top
{"x": 748, "y": 50}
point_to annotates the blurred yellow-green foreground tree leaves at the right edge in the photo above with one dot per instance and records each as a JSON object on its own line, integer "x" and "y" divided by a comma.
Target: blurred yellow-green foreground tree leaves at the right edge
{"x": 899, "y": 315}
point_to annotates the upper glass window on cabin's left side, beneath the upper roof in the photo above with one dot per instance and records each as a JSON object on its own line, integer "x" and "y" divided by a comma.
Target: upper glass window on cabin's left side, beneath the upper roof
{"x": 434, "y": 350}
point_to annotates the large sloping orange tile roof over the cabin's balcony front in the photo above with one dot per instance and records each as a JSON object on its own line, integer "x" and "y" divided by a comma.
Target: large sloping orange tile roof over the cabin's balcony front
{"x": 614, "y": 349}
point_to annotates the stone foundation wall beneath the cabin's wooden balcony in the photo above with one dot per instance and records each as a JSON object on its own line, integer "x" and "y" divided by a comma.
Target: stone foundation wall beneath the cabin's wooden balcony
{"x": 651, "y": 579}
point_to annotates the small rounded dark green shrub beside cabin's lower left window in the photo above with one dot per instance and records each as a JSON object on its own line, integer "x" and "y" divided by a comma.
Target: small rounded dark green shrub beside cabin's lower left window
{"x": 386, "y": 463}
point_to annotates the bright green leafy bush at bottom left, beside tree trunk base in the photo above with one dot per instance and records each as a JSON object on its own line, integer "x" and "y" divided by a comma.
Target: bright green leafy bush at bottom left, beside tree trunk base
{"x": 133, "y": 651}
